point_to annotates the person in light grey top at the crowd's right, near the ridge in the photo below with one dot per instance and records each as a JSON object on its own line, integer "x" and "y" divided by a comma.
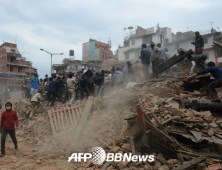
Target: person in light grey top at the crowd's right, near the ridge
{"x": 118, "y": 79}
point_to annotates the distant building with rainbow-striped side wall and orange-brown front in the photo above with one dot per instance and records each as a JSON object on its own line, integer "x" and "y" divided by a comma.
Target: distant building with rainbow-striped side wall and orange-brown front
{"x": 96, "y": 51}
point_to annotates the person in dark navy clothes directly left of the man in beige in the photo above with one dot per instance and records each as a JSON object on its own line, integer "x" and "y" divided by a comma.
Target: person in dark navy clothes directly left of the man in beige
{"x": 53, "y": 90}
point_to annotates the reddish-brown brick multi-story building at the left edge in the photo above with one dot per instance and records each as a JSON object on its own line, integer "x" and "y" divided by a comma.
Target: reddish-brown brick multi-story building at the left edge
{"x": 13, "y": 67}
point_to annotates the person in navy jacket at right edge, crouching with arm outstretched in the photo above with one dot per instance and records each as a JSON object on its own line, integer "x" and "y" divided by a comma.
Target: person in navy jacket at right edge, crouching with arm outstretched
{"x": 216, "y": 72}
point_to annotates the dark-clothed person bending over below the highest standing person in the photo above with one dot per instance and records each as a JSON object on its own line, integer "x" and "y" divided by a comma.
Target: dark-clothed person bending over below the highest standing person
{"x": 198, "y": 62}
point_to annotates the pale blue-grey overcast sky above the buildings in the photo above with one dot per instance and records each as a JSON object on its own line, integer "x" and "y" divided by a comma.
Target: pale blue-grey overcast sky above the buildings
{"x": 60, "y": 25}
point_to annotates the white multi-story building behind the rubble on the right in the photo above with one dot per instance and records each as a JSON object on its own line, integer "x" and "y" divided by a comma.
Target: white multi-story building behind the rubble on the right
{"x": 132, "y": 43}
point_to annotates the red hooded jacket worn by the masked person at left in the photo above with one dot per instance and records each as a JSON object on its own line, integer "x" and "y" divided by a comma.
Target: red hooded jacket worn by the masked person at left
{"x": 8, "y": 119}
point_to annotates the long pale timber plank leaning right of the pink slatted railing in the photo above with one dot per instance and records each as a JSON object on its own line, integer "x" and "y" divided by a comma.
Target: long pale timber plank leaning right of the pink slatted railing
{"x": 84, "y": 117}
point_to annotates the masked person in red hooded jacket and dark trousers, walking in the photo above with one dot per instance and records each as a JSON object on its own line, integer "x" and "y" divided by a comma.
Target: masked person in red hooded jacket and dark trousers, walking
{"x": 8, "y": 120}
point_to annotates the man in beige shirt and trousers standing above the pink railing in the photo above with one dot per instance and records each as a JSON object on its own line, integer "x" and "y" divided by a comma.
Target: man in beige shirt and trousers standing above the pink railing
{"x": 71, "y": 88}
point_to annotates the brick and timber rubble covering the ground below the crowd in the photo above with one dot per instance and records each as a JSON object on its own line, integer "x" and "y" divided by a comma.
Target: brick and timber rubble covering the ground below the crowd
{"x": 143, "y": 119}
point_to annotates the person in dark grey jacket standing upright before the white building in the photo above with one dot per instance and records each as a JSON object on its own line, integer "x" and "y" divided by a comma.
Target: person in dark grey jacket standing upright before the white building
{"x": 145, "y": 60}
